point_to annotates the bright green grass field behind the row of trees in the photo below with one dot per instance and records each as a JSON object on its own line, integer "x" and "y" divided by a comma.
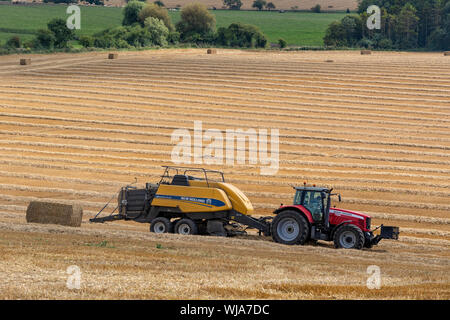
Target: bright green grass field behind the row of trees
{"x": 297, "y": 28}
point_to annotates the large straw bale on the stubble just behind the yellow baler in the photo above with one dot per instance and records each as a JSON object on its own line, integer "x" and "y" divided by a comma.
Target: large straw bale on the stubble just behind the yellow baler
{"x": 54, "y": 213}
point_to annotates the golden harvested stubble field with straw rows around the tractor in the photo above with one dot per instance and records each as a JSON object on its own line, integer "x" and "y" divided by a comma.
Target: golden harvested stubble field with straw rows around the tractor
{"x": 75, "y": 127}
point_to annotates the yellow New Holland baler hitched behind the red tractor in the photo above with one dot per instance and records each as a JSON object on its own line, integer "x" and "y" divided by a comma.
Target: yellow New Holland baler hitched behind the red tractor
{"x": 186, "y": 204}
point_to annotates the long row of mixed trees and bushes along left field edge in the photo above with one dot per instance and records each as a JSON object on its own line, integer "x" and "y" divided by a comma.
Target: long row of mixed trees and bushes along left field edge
{"x": 148, "y": 25}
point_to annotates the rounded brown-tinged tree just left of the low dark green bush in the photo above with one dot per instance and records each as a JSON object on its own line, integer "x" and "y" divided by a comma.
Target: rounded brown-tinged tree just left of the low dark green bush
{"x": 195, "y": 19}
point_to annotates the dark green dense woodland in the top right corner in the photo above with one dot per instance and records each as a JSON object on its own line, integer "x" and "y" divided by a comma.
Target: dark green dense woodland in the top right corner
{"x": 405, "y": 25}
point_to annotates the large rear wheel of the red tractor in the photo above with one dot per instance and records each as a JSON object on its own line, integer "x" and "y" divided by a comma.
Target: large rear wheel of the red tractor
{"x": 290, "y": 227}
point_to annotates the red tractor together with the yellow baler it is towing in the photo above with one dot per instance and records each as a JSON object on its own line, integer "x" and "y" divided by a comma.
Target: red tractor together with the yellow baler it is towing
{"x": 190, "y": 204}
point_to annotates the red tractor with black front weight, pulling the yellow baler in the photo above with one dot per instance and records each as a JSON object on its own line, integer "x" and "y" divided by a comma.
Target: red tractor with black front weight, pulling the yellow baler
{"x": 311, "y": 217}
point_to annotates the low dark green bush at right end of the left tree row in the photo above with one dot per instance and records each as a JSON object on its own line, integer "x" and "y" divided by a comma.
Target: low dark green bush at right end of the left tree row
{"x": 241, "y": 35}
